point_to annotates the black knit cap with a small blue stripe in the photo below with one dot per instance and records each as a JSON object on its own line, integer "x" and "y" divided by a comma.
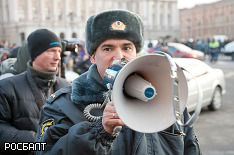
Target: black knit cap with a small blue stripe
{"x": 41, "y": 40}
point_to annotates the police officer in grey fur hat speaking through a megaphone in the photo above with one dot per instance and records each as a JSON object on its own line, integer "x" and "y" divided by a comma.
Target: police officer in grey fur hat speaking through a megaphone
{"x": 110, "y": 35}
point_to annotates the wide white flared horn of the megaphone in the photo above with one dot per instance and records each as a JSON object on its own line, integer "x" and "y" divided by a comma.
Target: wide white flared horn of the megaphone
{"x": 158, "y": 112}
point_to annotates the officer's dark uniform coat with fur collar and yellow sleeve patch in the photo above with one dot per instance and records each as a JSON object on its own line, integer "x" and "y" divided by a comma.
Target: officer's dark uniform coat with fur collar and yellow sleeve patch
{"x": 69, "y": 133}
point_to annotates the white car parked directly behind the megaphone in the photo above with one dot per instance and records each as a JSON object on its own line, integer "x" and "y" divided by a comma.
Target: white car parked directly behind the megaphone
{"x": 211, "y": 81}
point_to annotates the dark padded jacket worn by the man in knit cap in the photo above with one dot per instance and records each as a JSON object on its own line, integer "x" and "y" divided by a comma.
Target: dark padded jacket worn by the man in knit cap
{"x": 21, "y": 98}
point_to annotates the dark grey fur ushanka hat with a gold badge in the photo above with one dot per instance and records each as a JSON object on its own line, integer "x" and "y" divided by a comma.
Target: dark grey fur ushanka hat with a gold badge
{"x": 114, "y": 24}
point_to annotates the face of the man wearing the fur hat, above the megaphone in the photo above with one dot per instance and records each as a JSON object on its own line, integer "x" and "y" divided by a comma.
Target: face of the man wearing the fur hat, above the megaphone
{"x": 112, "y": 49}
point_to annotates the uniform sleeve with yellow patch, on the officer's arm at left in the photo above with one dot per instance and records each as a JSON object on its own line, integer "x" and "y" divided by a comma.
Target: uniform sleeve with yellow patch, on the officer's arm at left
{"x": 66, "y": 138}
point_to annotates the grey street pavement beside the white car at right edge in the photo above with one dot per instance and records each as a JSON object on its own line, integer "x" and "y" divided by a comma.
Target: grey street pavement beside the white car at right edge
{"x": 215, "y": 129}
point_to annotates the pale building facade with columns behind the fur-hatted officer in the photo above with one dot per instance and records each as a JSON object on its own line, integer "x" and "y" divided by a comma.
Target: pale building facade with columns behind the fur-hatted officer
{"x": 67, "y": 18}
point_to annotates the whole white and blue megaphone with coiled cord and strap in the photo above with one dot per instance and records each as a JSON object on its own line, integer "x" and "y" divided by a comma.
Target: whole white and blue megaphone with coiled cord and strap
{"x": 149, "y": 93}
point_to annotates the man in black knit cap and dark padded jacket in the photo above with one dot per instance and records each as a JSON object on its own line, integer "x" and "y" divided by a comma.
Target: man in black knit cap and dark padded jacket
{"x": 23, "y": 95}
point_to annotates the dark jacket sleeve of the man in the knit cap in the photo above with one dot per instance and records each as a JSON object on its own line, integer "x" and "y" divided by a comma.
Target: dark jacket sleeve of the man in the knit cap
{"x": 8, "y": 133}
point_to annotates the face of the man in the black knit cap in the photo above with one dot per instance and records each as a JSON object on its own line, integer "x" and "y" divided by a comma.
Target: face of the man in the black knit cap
{"x": 48, "y": 61}
